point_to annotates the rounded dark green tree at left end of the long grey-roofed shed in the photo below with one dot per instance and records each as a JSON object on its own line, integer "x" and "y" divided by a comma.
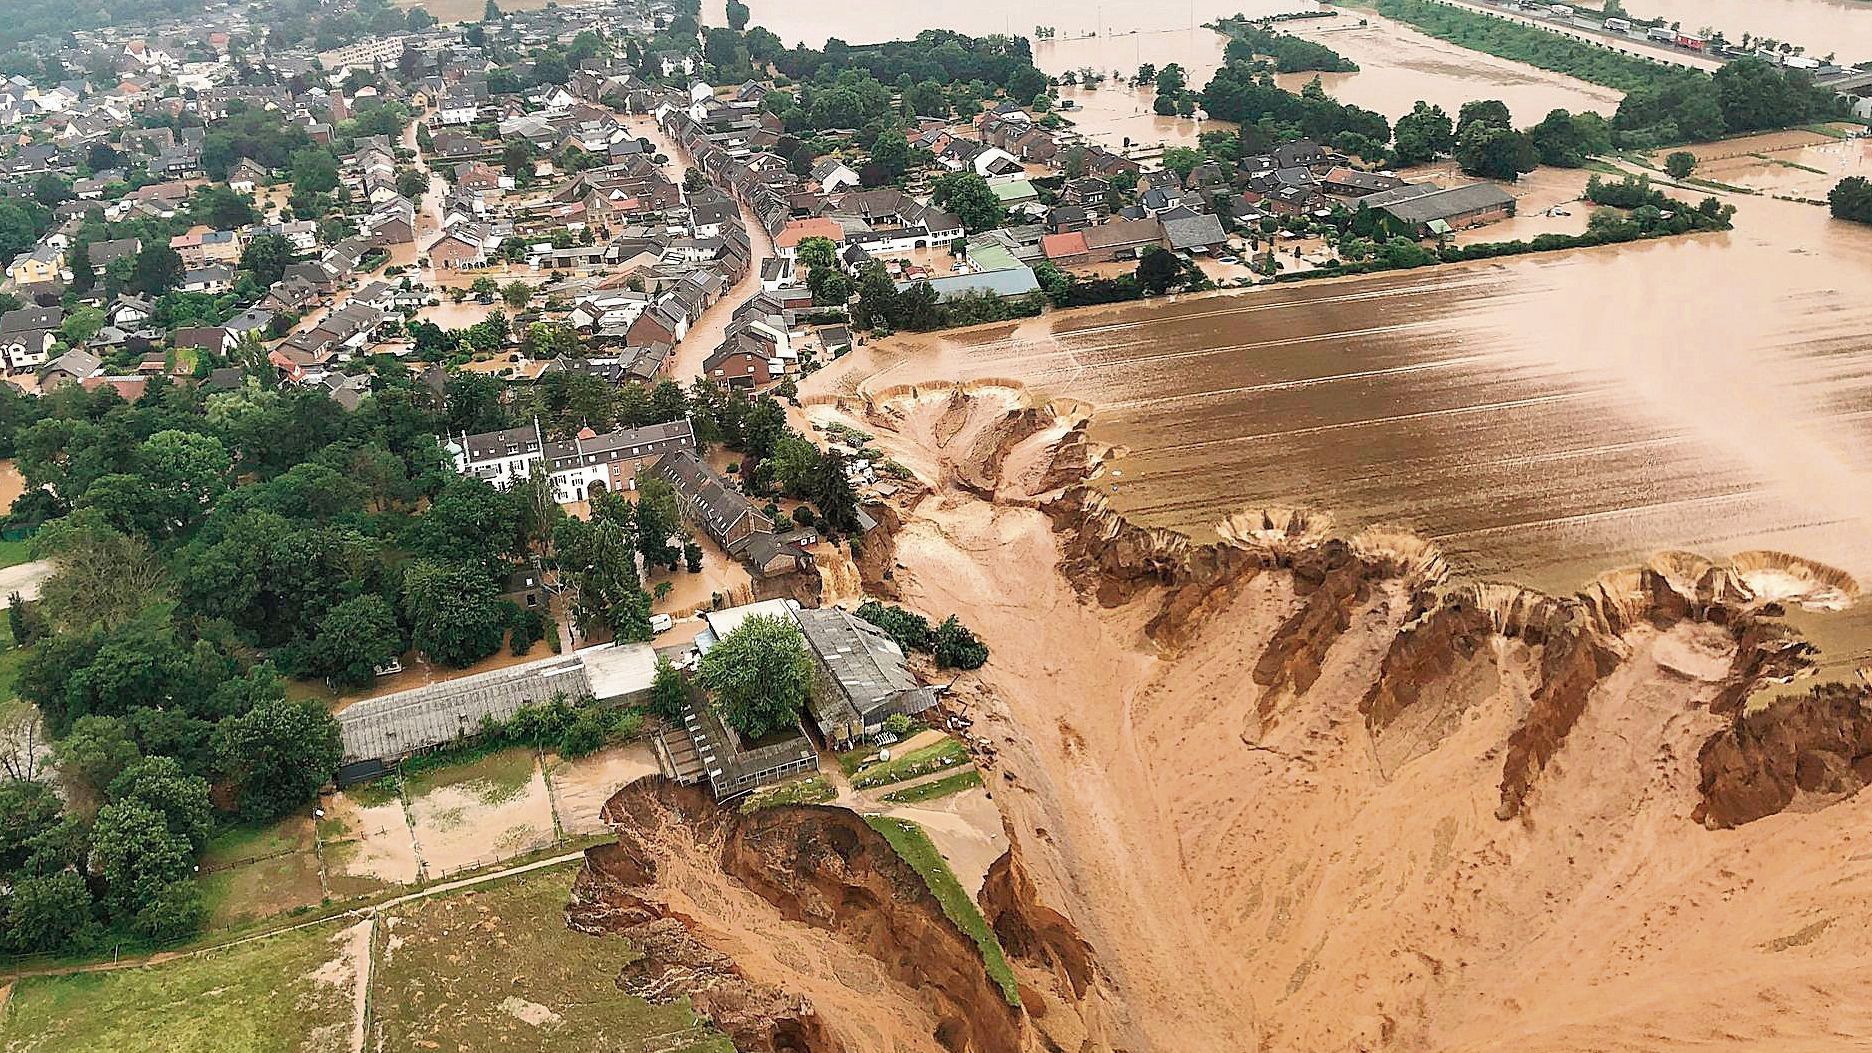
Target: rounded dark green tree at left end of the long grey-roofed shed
{"x": 278, "y": 756}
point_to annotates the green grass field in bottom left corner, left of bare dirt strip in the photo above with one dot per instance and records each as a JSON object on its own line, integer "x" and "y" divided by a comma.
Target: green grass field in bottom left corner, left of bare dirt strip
{"x": 274, "y": 996}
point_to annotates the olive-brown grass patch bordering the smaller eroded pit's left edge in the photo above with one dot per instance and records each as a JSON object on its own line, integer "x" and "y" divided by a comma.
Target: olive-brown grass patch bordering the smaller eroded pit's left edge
{"x": 497, "y": 971}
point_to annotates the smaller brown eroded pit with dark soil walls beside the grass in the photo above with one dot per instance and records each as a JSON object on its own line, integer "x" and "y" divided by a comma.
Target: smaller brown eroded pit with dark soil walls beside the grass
{"x": 797, "y": 928}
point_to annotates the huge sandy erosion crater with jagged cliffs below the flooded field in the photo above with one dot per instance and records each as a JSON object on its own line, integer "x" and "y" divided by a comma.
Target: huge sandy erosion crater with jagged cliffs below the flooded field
{"x": 1300, "y": 793}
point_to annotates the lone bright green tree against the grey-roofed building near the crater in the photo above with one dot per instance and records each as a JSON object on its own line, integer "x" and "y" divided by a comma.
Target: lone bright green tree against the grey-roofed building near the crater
{"x": 759, "y": 675}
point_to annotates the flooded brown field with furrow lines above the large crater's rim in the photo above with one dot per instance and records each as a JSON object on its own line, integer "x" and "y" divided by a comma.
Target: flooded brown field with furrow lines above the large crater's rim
{"x": 1543, "y": 419}
